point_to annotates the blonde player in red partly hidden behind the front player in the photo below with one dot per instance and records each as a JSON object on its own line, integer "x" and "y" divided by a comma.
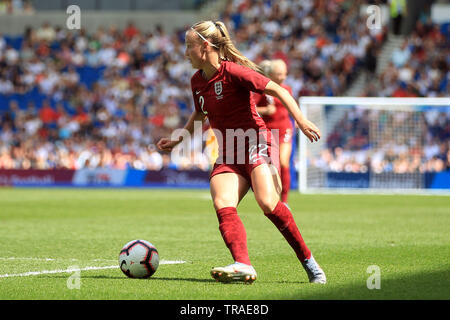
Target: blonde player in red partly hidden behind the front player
{"x": 276, "y": 116}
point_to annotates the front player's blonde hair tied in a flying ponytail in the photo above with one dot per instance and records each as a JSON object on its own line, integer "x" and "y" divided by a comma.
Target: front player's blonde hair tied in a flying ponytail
{"x": 217, "y": 34}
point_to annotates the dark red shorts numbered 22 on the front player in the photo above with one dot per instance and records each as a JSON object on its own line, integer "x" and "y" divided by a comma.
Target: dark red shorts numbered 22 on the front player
{"x": 265, "y": 151}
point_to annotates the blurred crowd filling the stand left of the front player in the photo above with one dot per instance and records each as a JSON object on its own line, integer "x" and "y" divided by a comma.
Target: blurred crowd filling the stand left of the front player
{"x": 143, "y": 93}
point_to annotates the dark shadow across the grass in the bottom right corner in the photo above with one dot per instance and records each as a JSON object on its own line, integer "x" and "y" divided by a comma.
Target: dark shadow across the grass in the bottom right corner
{"x": 420, "y": 286}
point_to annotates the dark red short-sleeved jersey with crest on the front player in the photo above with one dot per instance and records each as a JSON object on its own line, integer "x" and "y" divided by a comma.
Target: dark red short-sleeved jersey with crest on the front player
{"x": 227, "y": 102}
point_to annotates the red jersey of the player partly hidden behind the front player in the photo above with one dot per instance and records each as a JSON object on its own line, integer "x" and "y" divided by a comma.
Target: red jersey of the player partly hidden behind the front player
{"x": 280, "y": 119}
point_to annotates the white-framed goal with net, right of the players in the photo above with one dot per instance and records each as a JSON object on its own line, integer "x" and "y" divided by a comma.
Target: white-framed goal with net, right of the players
{"x": 376, "y": 144}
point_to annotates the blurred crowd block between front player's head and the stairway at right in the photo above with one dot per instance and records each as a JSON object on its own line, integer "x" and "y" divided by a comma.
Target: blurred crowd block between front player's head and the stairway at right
{"x": 324, "y": 43}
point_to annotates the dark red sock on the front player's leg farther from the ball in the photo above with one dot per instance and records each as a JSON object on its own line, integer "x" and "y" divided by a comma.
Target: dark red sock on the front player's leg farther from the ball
{"x": 282, "y": 218}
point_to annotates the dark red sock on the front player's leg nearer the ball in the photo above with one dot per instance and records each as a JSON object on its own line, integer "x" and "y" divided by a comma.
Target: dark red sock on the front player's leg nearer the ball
{"x": 233, "y": 233}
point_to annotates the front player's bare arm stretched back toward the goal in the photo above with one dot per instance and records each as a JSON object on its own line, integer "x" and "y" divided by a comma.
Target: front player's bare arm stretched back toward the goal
{"x": 307, "y": 127}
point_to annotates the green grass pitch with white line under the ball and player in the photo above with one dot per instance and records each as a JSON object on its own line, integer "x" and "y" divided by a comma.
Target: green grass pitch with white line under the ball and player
{"x": 407, "y": 237}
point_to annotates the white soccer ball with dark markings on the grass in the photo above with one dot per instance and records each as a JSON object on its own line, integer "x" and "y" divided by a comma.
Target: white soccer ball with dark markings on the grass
{"x": 138, "y": 259}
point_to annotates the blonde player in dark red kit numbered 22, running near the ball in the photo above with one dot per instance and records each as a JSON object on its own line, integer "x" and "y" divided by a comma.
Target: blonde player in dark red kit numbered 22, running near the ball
{"x": 221, "y": 88}
